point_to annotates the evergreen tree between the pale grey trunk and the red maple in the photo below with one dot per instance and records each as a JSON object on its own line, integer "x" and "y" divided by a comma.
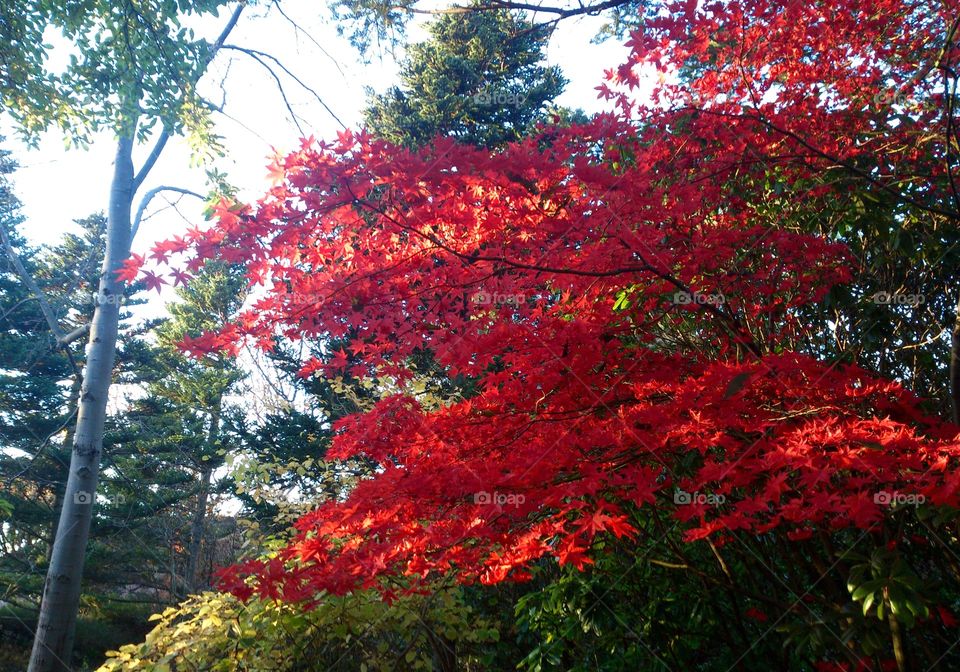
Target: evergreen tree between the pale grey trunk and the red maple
{"x": 173, "y": 436}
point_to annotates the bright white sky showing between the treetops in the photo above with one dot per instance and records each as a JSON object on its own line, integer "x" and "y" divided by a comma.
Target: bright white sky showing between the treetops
{"x": 57, "y": 184}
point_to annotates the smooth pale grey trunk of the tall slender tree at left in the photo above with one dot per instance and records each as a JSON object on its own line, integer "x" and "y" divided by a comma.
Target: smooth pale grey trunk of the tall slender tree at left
{"x": 53, "y": 642}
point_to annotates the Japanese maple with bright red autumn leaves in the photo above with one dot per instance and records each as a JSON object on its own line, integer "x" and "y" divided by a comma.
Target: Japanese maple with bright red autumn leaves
{"x": 625, "y": 305}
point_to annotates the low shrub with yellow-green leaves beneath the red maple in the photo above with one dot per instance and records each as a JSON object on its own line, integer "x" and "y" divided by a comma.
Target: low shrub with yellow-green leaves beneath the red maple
{"x": 359, "y": 631}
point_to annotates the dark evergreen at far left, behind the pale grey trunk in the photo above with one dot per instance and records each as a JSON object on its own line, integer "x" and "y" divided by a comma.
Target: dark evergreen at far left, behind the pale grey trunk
{"x": 39, "y": 385}
